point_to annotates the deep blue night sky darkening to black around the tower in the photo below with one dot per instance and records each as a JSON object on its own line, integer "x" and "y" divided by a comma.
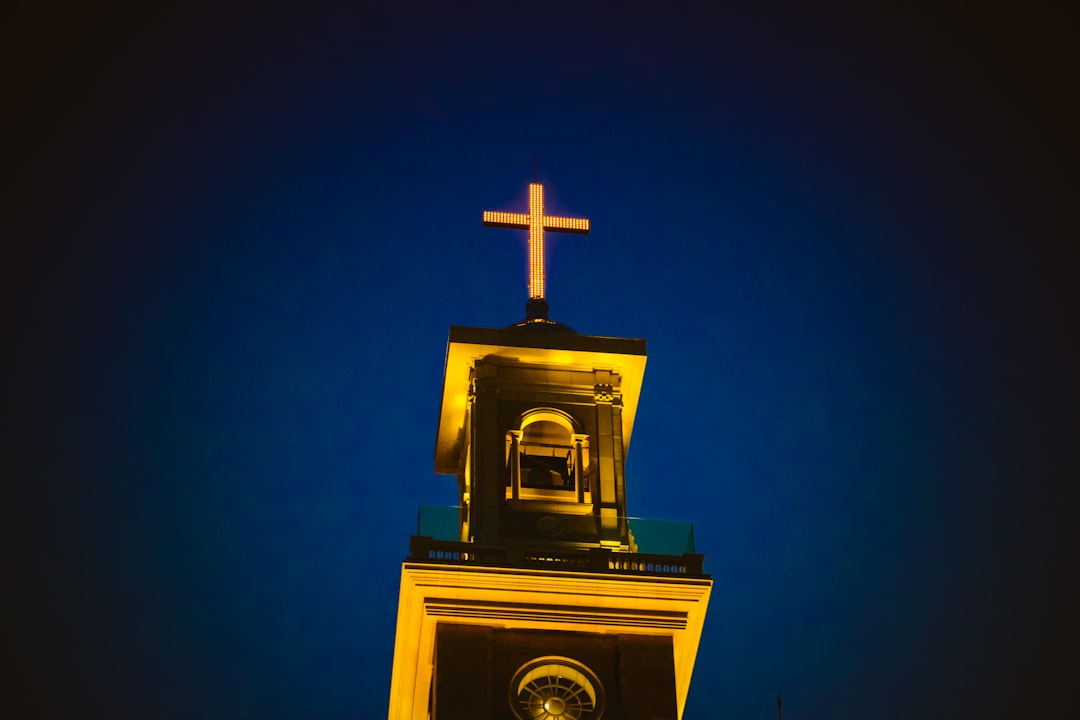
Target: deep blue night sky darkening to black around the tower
{"x": 237, "y": 243}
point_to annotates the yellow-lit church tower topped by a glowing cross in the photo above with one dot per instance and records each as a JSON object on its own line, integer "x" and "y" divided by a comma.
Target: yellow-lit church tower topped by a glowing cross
{"x": 538, "y": 597}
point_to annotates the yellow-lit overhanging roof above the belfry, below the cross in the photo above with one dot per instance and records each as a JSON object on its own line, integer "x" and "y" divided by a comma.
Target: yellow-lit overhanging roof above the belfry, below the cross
{"x": 625, "y": 357}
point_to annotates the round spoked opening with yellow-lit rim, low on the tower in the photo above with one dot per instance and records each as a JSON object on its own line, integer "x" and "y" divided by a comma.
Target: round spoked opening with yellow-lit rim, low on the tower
{"x": 556, "y": 688}
